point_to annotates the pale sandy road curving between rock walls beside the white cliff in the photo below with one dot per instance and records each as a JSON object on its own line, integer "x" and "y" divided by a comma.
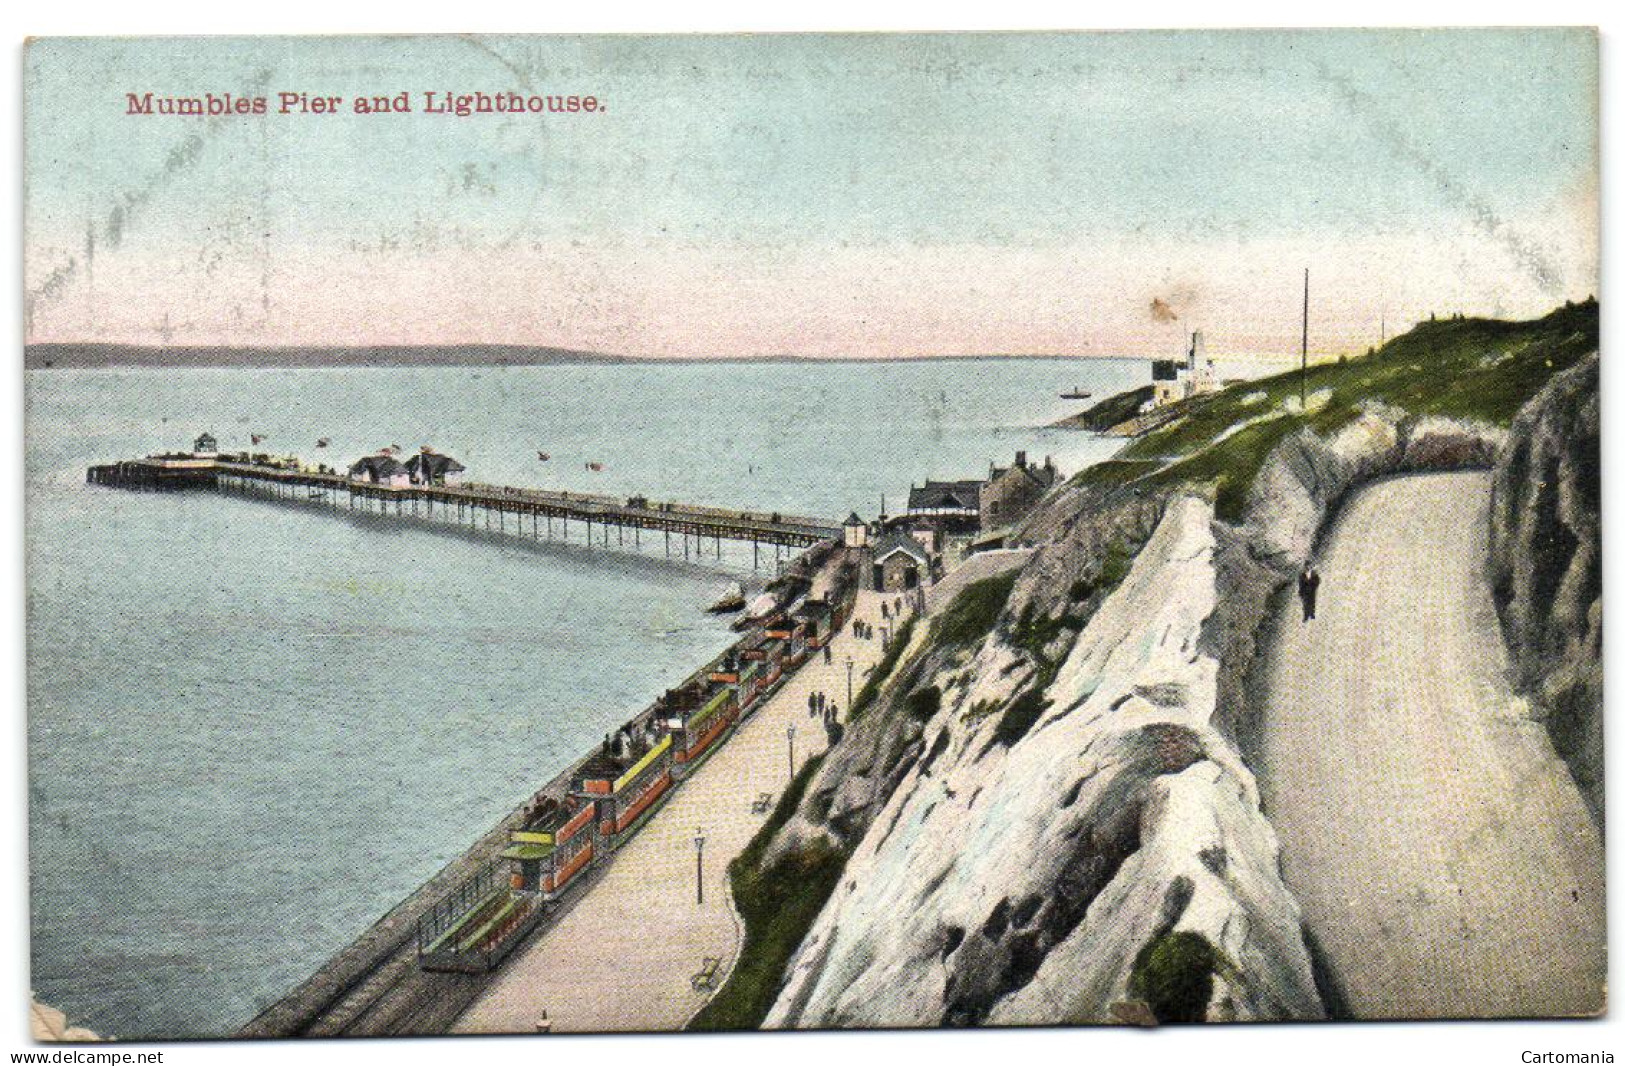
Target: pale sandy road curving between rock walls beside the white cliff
{"x": 1444, "y": 857}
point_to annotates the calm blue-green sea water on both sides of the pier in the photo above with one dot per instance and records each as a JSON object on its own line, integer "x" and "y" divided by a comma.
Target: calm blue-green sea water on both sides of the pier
{"x": 254, "y": 729}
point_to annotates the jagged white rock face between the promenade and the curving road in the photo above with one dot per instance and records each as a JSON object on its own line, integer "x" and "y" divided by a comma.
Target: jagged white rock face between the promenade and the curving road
{"x": 1101, "y": 860}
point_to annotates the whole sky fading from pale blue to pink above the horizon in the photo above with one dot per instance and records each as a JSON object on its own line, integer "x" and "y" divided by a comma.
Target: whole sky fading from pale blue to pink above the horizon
{"x": 828, "y": 165}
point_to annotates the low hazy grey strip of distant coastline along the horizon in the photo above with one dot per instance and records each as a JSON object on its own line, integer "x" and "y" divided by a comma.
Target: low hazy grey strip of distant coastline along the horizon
{"x": 84, "y": 357}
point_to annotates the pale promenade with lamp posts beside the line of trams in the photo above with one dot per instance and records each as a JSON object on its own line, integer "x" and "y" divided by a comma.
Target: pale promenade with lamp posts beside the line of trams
{"x": 625, "y": 956}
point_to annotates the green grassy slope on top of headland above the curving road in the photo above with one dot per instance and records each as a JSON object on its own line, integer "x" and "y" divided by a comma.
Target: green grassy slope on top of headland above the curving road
{"x": 1460, "y": 368}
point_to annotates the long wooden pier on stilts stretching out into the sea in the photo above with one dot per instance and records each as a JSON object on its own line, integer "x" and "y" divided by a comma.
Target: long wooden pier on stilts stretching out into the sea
{"x": 501, "y": 509}
